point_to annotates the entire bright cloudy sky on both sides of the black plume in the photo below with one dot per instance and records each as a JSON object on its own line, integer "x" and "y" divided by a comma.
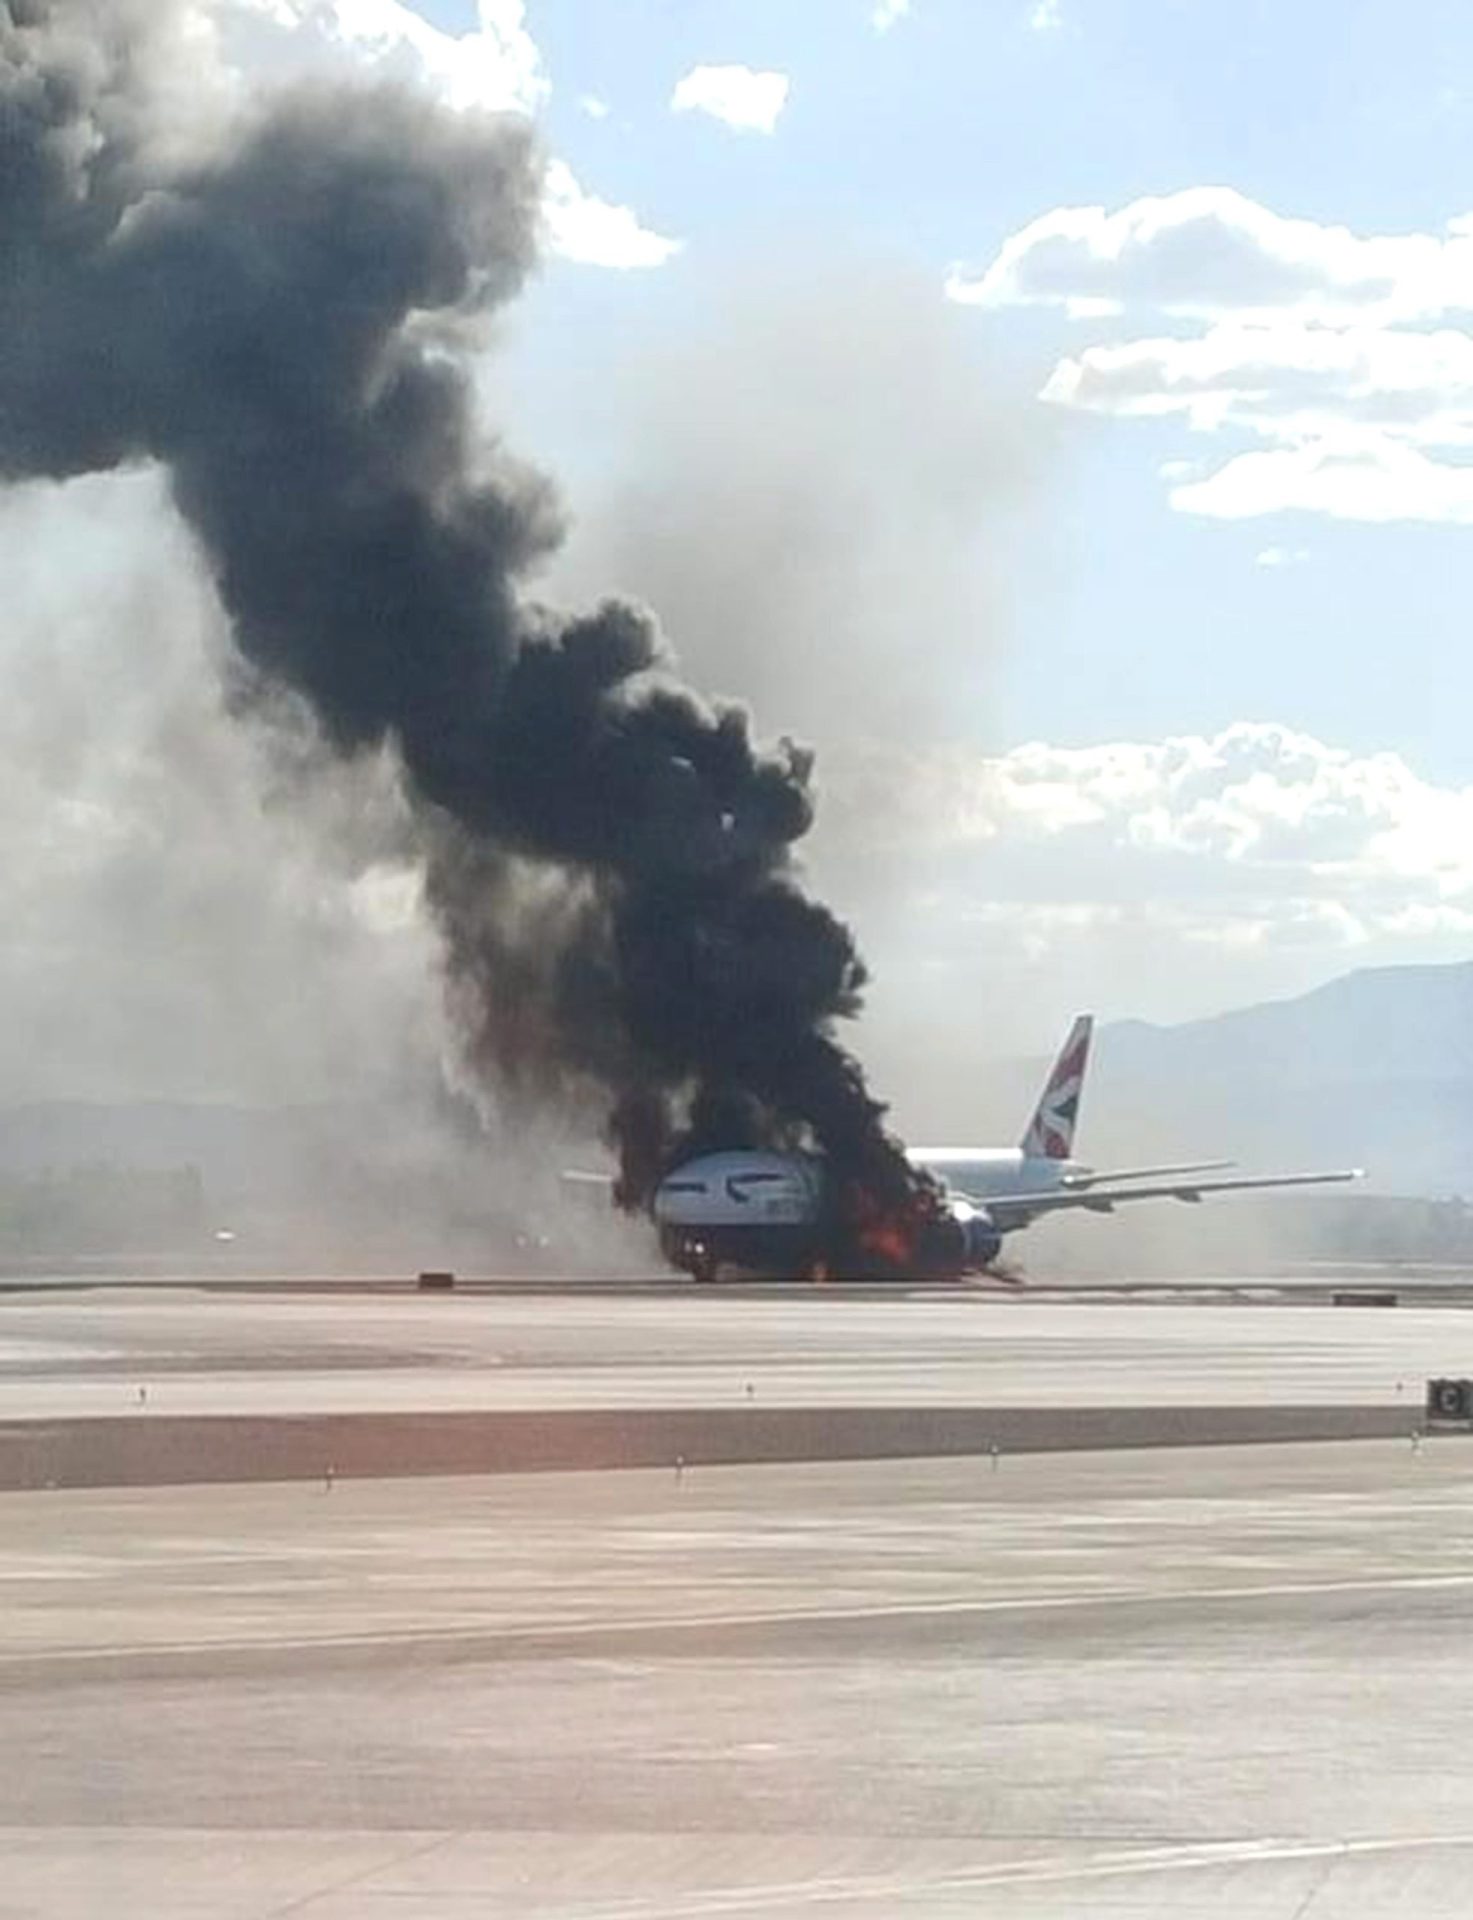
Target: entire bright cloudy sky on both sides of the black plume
{"x": 1059, "y": 412}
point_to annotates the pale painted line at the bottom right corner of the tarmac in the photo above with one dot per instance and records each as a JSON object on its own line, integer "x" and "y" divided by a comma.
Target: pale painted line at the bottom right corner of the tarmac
{"x": 1057, "y": 1871}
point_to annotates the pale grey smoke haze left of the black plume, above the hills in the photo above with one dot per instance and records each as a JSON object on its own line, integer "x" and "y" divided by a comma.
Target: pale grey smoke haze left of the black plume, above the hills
{"x": 195, "y": 911}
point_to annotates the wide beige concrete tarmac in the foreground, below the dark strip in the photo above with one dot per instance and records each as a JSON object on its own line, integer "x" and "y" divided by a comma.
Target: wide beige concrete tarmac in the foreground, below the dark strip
{"x": 1142, "y": 1685}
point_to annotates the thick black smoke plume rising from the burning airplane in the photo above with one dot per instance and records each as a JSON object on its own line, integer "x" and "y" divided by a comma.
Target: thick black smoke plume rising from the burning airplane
{"x": 272, "y": 318}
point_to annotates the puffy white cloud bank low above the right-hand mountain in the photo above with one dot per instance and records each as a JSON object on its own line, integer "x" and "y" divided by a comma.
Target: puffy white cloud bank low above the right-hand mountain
{"x": 1257, "y": 834}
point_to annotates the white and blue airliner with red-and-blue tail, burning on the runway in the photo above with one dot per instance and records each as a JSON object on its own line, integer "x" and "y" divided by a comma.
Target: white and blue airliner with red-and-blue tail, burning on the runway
{"x": 765, "y": 1212}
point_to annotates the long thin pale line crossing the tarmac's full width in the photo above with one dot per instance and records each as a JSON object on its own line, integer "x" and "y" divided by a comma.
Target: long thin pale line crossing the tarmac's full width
{"x": 556, "y": 1635}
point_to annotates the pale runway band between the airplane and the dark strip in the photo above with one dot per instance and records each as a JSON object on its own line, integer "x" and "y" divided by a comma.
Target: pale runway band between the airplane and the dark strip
{"x": 91, "y": 1353}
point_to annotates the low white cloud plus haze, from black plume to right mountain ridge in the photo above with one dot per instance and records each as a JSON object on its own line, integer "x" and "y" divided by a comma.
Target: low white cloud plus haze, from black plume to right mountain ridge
{"x": 1165, "y": 878}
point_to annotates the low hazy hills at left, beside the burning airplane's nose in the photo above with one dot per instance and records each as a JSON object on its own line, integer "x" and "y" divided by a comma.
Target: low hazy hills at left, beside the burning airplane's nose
{"x": 333, "y": 1184}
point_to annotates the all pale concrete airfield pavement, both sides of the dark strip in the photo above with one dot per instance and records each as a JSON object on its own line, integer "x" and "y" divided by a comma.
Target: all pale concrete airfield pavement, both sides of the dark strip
{"x": 1215, "y": 1681}
